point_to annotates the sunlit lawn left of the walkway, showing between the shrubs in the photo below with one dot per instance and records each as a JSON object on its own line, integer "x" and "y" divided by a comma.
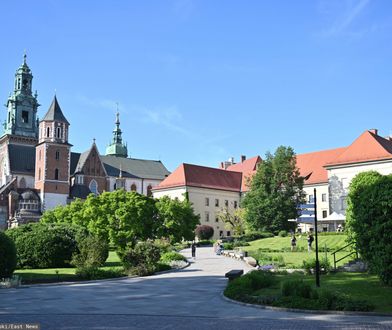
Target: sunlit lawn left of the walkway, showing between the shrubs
{"x": 63, "y": 274}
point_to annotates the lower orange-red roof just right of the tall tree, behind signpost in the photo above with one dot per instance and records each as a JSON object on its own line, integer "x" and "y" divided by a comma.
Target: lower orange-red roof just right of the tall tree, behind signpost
{"x": 312, "y": 164}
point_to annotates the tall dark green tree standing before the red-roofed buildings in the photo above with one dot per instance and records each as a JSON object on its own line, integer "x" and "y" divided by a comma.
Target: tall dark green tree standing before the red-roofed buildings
{"x": 275, "y": 192}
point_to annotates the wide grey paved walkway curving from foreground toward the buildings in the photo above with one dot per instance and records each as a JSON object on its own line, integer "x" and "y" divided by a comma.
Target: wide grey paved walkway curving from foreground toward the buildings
{"x": 187, "y": 299}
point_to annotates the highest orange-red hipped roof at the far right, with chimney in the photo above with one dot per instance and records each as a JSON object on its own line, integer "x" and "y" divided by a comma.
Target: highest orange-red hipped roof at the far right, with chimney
{"x": 367, "y": 147}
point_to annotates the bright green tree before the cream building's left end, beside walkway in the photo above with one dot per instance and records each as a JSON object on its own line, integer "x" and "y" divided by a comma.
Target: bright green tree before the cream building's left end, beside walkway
{"x": 176, "y": 218}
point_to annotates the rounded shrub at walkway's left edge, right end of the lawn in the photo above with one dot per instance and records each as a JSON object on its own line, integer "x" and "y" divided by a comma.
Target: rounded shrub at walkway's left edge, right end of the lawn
{"x": 142, "y": 260}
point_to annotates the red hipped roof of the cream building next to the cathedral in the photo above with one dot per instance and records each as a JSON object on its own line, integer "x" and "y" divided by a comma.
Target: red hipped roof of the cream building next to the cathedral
{"x": 202, "y": 177}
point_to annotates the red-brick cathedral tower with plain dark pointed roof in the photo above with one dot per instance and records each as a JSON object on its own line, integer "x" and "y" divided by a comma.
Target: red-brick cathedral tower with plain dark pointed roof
{"x": 52, "y": 164}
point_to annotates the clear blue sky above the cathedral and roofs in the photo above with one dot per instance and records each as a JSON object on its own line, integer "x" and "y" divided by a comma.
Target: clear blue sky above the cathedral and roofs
{"x": 200, "y": 81}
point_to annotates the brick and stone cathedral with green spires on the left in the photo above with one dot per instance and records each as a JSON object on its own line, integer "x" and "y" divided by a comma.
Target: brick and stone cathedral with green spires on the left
{"x": 38, "y": 170}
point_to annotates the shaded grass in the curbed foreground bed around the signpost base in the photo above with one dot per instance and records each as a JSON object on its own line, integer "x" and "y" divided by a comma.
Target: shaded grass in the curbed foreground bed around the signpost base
{"x": 357, "y": 286}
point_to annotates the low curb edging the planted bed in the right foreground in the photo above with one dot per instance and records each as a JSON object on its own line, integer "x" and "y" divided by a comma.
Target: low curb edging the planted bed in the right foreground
{"x": 307, "y": 311}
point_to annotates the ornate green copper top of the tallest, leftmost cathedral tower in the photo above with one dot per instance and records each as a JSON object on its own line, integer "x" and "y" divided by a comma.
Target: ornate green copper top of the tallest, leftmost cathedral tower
{"x": 22, "y": 105}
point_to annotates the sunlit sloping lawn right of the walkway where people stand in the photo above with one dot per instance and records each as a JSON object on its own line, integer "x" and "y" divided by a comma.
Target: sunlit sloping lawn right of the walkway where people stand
{"x": 280, "y": 247}
